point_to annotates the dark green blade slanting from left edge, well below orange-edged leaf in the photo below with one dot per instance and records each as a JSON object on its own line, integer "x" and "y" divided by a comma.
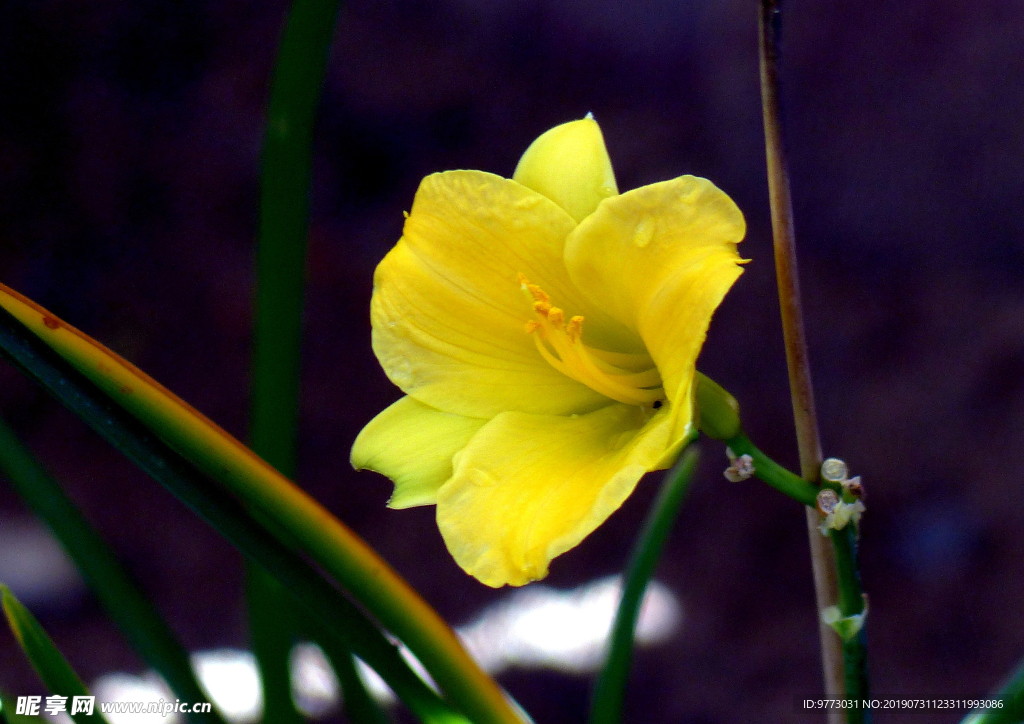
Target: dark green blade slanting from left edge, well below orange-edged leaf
{"x": 132, "y": 611}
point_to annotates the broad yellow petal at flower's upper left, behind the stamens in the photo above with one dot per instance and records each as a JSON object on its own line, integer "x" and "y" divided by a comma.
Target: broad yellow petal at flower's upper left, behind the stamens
{"x": 449, "y": 313}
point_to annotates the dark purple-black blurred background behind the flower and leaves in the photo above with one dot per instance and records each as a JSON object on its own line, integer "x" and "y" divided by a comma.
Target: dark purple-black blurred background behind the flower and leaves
{"x": 130, "y": 153}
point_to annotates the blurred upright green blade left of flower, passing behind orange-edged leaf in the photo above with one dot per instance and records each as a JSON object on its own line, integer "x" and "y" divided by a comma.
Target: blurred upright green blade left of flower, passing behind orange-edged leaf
{"x": 285, "y": 183}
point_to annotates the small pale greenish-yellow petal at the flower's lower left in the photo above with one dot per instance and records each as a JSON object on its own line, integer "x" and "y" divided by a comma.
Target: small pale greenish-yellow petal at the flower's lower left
{"x": 413, "y": 445}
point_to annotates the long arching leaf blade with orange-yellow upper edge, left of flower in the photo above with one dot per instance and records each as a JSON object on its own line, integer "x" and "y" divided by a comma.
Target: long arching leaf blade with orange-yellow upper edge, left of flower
{"x": 333, "y": 546}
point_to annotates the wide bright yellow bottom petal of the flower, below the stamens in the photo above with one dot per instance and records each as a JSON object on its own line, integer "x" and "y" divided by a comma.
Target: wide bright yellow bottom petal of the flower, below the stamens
{"x": 529, "y": 488}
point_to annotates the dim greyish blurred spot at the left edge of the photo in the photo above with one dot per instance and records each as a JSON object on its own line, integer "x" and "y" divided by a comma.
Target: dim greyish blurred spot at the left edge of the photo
{"x": 34, "y": 566}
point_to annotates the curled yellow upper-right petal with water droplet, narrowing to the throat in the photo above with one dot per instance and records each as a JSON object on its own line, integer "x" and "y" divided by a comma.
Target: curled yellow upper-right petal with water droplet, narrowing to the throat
{"x": 660, "y": 260}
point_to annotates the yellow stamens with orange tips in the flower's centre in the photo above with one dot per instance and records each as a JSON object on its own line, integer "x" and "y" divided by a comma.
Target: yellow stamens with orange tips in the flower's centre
{"x": 627, "y": 378}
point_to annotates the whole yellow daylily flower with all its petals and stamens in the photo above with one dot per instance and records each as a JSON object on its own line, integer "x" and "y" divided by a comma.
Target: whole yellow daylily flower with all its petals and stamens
{"x": 545, "y": 330}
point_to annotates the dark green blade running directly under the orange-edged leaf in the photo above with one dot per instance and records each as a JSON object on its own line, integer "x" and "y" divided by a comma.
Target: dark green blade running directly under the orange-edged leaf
{"x": 224, "y": 513}
